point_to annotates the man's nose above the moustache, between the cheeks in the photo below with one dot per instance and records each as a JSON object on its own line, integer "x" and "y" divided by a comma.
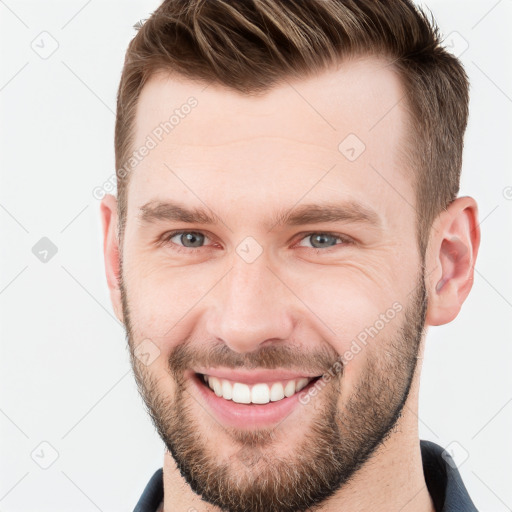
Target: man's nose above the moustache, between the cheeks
{"x": 252, "y": 307}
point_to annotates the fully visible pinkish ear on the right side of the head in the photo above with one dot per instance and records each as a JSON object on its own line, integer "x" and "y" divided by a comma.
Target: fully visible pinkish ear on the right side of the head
{"x": 450, "y": 260}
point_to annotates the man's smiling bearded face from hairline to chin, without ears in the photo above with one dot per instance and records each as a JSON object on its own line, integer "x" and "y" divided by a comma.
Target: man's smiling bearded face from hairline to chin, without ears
{"x": 276, "y": 290}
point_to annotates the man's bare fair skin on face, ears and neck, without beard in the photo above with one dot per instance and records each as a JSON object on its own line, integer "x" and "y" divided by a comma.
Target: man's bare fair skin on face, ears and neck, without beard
{"x": 246, "y": 158}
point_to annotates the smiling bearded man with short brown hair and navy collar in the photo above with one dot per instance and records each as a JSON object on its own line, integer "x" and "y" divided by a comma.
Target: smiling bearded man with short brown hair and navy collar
{"x": 286, "y": 227}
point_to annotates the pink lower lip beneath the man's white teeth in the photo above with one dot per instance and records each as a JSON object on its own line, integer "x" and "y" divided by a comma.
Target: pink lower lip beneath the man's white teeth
{"x": 247, "y": 416}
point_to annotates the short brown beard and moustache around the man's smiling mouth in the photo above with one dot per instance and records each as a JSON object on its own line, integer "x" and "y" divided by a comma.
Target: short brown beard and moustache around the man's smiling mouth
{"x": 337, "y": 439}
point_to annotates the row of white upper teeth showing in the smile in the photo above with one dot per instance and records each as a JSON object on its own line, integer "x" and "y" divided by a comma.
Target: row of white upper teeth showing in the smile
{"x": 260, "y": 393}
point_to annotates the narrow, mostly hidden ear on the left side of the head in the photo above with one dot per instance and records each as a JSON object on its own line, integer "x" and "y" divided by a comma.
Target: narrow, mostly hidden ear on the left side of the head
{"x": 108, "y": 209}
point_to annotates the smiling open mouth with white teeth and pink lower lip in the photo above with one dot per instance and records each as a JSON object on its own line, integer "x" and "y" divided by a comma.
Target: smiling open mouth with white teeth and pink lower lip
{"x": 246, "y": 405}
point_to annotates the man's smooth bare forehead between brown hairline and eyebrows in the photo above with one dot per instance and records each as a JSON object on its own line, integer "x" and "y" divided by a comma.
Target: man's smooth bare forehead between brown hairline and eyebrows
{"x": 337, "y": 133}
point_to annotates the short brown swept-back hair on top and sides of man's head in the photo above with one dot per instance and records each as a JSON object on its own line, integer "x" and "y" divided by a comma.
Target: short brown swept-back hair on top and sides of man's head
{"x": 251, "y": 45}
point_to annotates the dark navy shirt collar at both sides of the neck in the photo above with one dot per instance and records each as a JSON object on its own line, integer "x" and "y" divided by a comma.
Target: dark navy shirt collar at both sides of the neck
{"x": 441, "y": 476}
